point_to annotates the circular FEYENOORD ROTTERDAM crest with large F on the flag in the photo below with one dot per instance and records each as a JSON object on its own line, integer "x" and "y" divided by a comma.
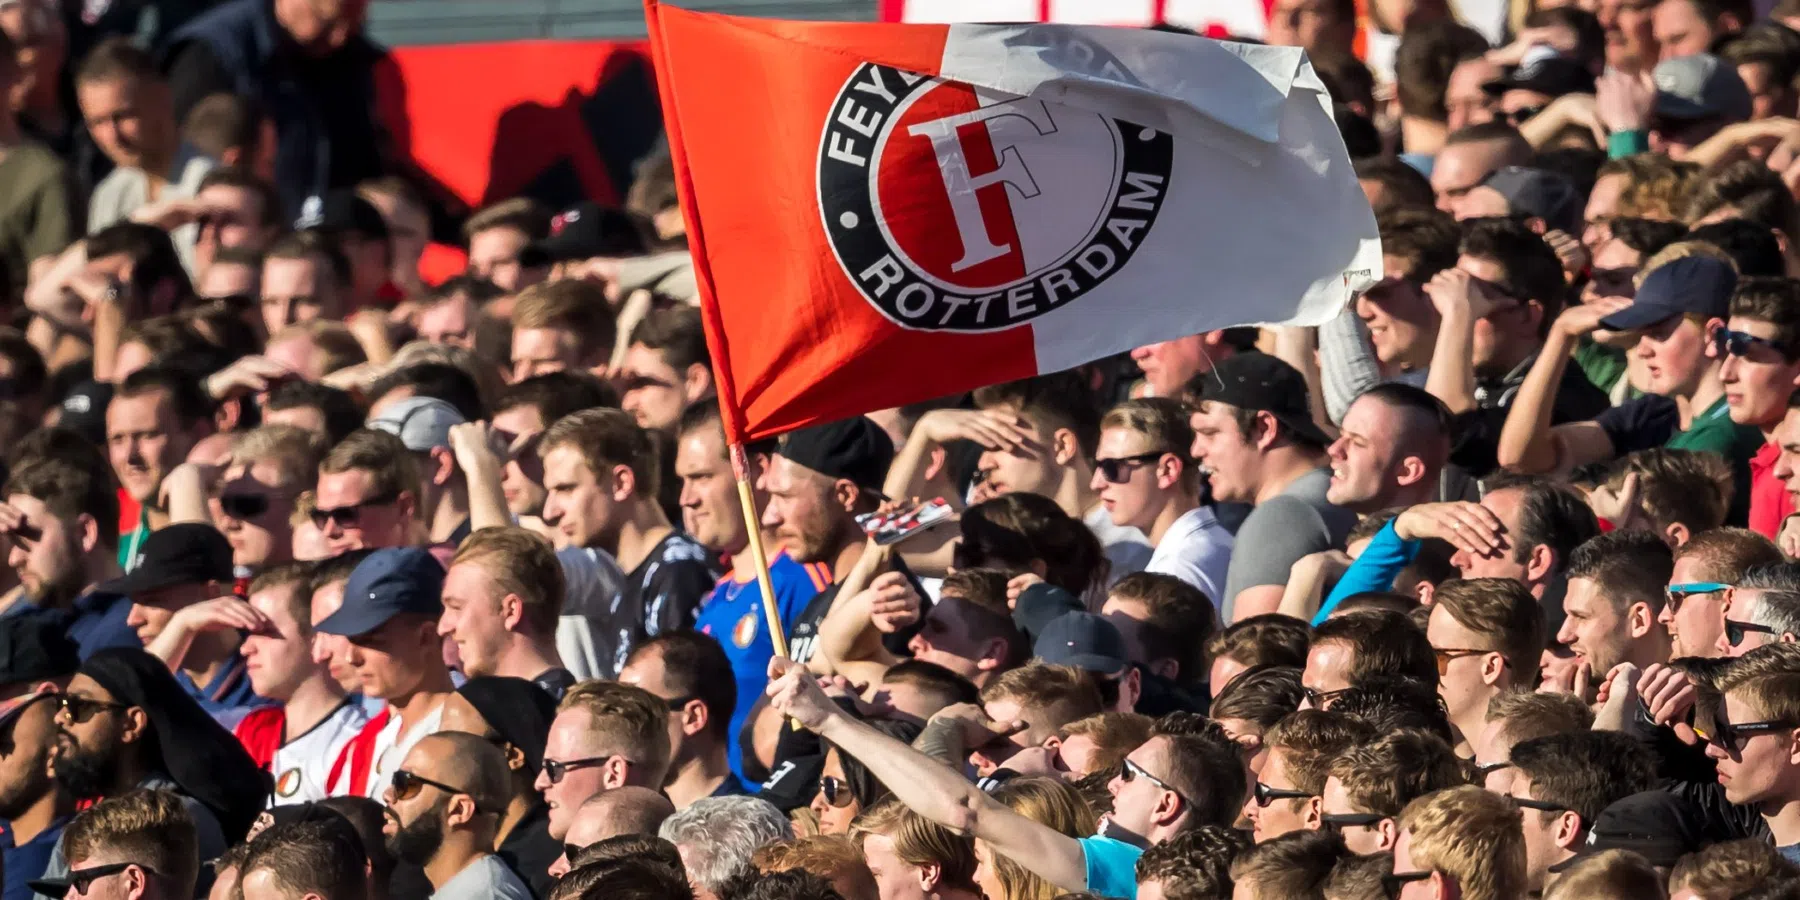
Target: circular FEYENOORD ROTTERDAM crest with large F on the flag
{"x": 958, "y": 210}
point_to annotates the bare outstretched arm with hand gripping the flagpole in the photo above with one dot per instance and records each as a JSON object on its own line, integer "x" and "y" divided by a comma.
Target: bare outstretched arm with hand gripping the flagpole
{"x": 926, "y": 786}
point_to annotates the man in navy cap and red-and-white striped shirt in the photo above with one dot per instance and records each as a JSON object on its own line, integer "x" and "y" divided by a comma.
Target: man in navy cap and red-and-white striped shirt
{"x": 388, "y": 633}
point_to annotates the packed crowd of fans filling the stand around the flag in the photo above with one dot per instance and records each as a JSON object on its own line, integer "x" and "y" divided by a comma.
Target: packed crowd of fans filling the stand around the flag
{"x": 332, "y": 584}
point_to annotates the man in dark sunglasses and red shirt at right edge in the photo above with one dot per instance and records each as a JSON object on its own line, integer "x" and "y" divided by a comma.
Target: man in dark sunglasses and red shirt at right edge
{"x": 1759, "y": 354}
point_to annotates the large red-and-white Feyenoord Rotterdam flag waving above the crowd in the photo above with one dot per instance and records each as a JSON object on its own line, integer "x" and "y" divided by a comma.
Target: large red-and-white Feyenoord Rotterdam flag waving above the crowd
{"x": 885, "y": 215}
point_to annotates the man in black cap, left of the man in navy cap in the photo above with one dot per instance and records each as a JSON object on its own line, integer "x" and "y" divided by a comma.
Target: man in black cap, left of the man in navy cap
{"x": 175, "y": 607}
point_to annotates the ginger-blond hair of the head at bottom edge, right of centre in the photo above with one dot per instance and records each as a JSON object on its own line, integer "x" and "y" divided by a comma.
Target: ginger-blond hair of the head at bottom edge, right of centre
{"x": 1471, "y": 836}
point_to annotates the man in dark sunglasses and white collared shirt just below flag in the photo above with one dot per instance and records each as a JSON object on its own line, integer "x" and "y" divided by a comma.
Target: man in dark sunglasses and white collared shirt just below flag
{"x": 1147, "y": 481}
